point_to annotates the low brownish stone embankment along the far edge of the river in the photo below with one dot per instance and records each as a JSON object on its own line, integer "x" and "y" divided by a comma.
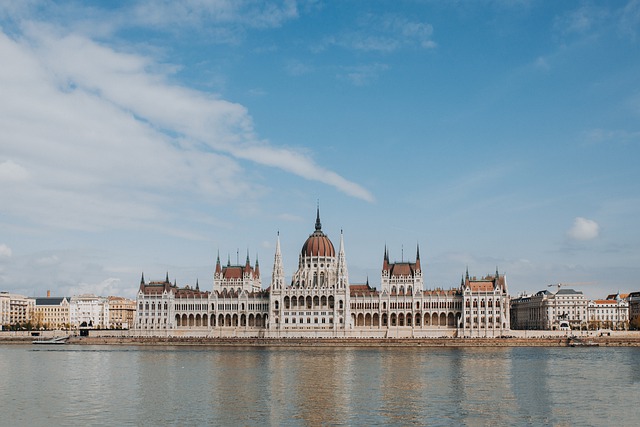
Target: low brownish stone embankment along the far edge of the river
{"x": 627, "y": 341}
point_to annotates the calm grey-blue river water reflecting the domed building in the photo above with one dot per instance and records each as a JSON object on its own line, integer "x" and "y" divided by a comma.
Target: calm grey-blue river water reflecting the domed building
{"x": 115, "y": 385}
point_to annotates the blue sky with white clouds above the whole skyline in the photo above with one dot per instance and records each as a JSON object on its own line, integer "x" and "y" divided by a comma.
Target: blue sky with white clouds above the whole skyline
{"x": 151, "y": 136}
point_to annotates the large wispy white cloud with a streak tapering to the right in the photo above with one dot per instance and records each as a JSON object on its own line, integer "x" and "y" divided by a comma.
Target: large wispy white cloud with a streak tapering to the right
{"x": 109, "y": 140}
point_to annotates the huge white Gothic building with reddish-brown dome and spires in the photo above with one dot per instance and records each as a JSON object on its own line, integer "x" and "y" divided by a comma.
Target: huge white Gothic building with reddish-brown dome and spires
{"x": 319, "y": 301}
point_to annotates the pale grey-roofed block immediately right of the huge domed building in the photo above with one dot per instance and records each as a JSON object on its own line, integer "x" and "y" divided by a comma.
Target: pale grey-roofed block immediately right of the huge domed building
{"x": 546, "y": 310}
